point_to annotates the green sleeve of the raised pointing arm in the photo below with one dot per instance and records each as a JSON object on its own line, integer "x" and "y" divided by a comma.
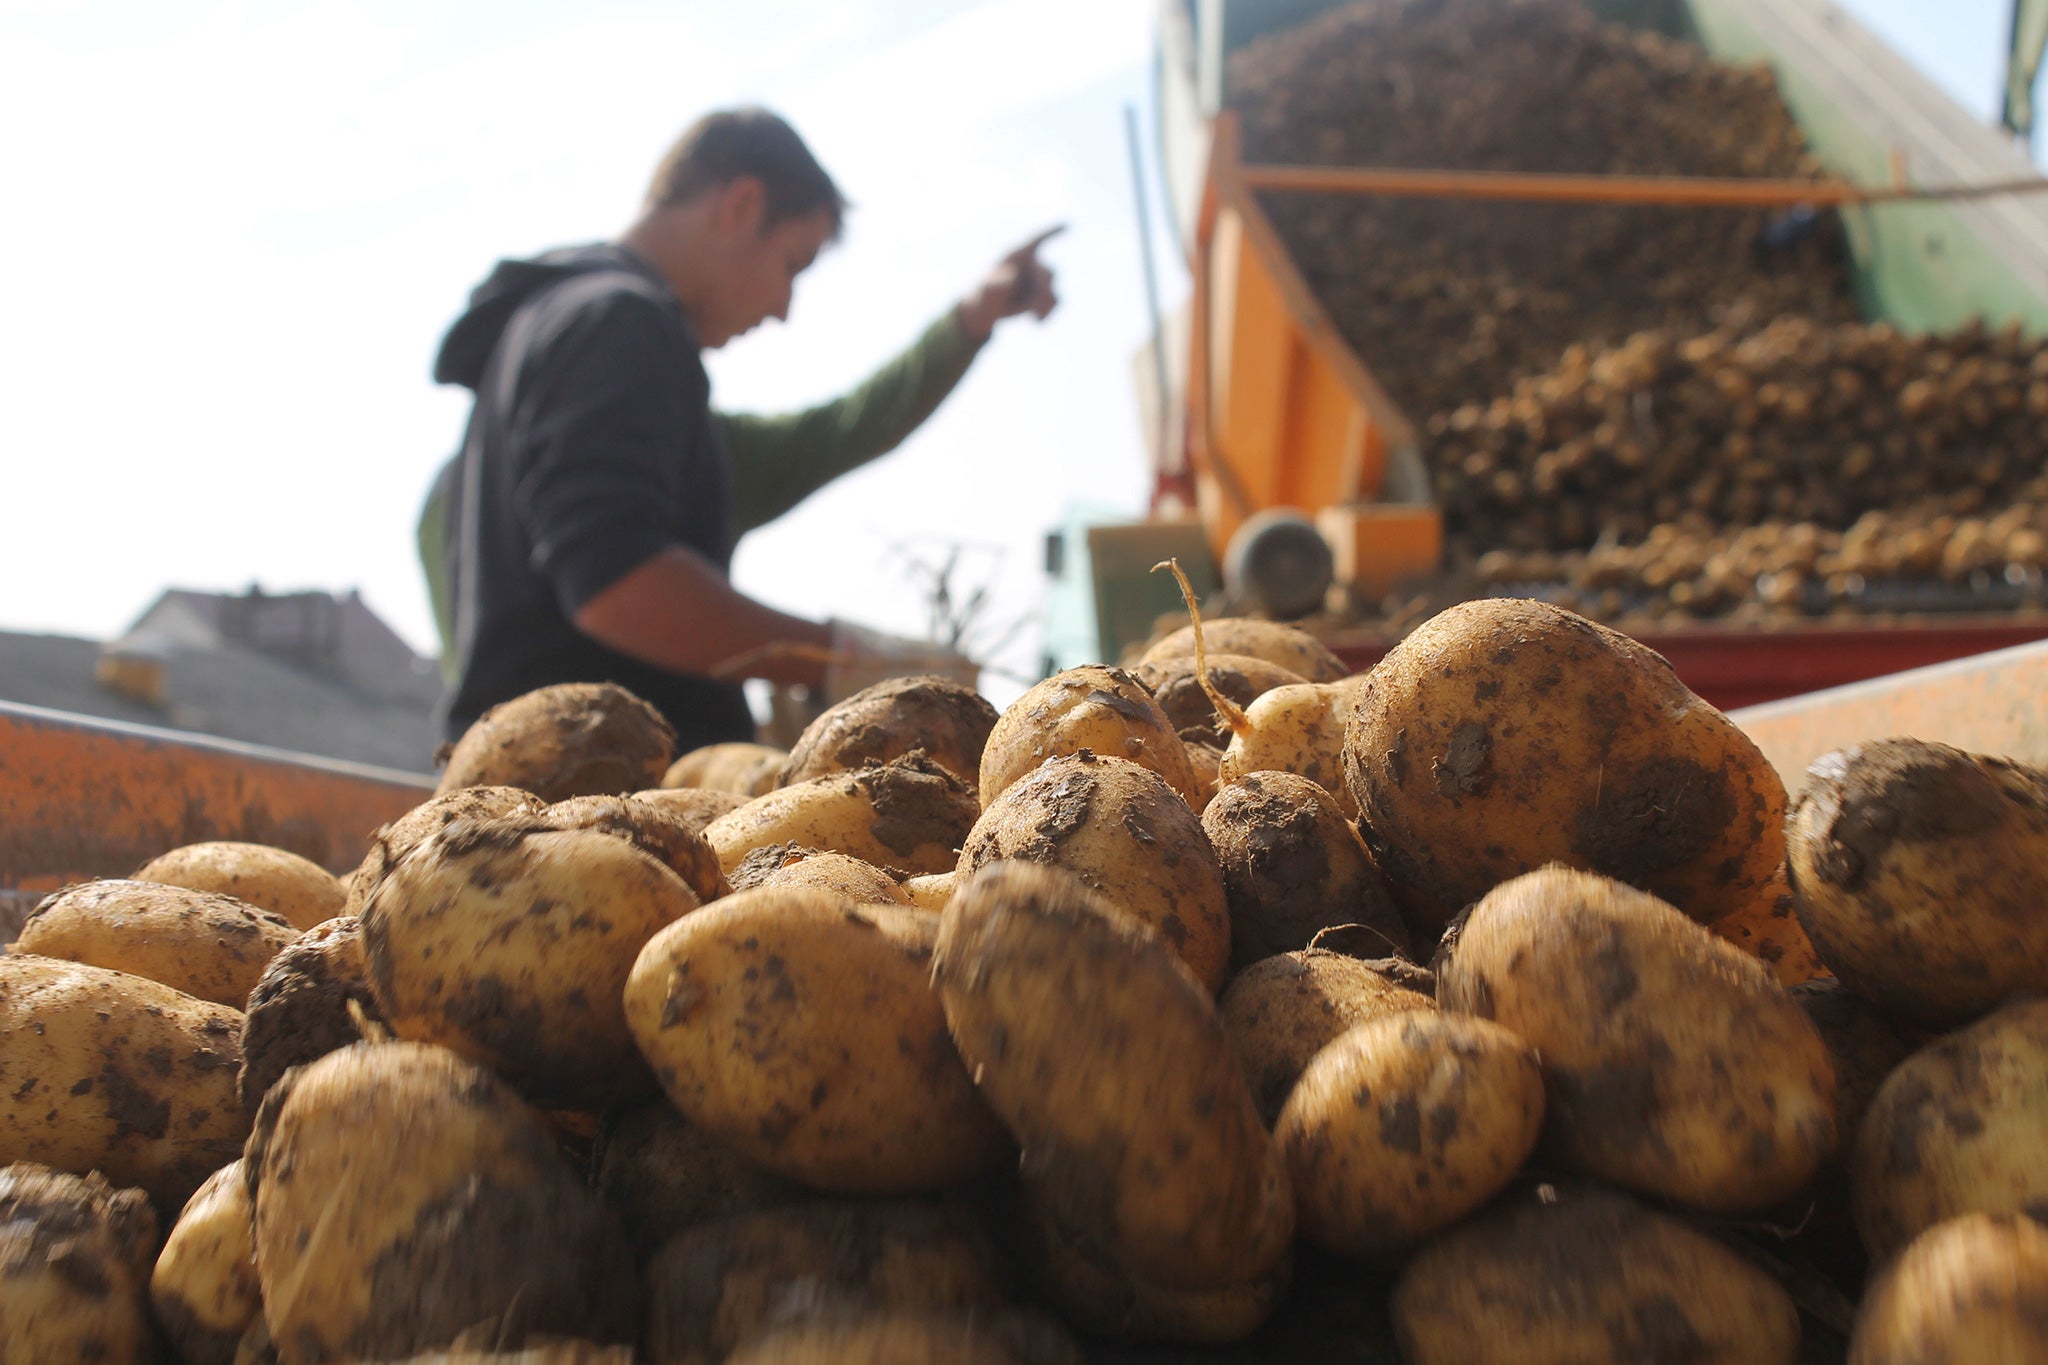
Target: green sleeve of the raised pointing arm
{"x": 783, "y": 459}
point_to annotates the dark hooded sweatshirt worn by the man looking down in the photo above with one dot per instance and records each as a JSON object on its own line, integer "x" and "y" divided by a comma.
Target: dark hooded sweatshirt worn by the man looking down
{"x": 591, "y": 449}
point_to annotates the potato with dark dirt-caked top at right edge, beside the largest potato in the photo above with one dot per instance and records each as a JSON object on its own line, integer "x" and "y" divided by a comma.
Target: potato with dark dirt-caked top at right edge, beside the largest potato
{"x": 1920, "y": 875}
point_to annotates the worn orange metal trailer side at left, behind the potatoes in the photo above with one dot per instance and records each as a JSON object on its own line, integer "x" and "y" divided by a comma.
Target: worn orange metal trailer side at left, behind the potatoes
{"x": 83, "y": 799}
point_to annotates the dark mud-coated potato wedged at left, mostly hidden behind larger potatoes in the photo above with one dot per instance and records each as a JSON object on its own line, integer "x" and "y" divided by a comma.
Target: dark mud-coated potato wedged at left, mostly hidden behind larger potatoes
{"x": 304, "y": 1008}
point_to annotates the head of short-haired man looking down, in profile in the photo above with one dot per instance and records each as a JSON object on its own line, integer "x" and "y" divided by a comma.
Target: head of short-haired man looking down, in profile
{"x": 736, "y": 212}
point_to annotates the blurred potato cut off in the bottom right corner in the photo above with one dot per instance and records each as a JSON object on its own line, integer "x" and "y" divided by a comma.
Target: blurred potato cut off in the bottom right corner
{"x": 1965, "y": 1292}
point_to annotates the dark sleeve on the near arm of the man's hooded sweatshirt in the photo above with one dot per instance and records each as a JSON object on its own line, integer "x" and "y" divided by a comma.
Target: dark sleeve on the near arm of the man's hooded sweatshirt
{"x": 603, "y": 443}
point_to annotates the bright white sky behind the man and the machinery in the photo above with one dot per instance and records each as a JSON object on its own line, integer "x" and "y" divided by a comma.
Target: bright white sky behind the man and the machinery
{"x": 237, "y": 232}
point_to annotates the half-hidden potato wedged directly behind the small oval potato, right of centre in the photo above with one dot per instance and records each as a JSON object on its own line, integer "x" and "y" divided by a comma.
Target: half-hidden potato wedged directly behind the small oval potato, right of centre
{"x": 1285, "y": 1010}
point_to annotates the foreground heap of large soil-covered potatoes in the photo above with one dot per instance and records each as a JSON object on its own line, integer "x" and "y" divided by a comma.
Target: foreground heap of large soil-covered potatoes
{"x": 1494, "y": 1006}
